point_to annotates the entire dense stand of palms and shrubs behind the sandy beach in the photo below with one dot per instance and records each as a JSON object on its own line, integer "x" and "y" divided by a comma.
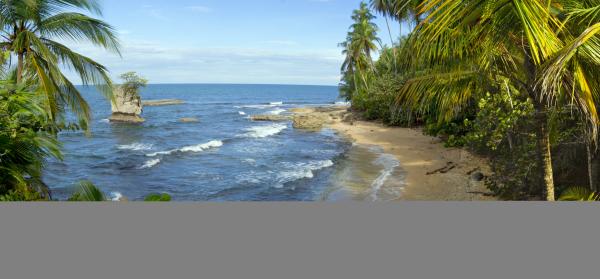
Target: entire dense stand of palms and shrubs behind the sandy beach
{"x": 514, "y": 80}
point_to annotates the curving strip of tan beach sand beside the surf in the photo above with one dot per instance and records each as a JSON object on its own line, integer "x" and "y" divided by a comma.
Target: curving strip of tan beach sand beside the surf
{"x": 420, "y": 156}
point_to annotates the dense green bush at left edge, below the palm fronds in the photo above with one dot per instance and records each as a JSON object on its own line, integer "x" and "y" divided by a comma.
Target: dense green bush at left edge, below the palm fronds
{"x": 26, "y": 140}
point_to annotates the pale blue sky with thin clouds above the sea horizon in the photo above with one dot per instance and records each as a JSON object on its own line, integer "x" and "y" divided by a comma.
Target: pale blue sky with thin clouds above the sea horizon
{"x": 235, "y": 41}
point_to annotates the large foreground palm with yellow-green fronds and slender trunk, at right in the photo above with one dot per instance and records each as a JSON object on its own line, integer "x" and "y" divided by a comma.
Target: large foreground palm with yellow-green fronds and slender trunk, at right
{"x": 546, "y": 49}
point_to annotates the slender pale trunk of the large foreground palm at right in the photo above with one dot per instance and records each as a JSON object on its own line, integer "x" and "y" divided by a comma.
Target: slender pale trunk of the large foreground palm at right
{"x": 545, "y": 152}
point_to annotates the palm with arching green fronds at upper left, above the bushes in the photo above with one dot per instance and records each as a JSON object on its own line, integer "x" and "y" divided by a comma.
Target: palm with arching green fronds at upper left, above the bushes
{"x": 31, "y": 31}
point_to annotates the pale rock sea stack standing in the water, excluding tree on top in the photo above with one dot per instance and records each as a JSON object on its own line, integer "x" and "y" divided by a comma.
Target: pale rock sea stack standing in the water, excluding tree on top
{"x": 126, "y": 108}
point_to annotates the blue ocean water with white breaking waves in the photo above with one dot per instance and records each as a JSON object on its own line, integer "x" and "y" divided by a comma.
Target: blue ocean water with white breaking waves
{"x": 223, "y": 157}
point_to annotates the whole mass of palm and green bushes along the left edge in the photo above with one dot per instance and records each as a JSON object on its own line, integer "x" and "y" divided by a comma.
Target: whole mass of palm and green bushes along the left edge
{"x": 35, "y": 94}
